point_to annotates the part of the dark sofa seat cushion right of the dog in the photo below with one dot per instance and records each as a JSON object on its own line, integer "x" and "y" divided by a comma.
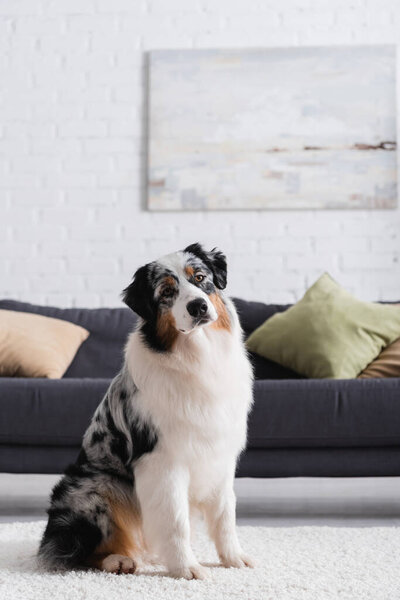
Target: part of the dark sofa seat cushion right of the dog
{"x": 325, "y": 413}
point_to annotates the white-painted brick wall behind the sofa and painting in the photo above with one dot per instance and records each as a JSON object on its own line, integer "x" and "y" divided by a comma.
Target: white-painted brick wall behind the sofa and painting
{"x": 73, "y": 226}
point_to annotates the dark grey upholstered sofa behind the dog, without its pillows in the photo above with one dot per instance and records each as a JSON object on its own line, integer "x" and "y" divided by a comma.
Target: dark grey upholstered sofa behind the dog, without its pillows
{"x": 297, "y": 427}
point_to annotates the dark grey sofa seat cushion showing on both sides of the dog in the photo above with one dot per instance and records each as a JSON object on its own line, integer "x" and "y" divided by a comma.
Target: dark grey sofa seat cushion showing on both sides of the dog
{"x": 286, "y": 414}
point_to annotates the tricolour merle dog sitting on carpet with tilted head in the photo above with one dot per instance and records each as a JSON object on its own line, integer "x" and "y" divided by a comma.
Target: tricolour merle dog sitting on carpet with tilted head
{"x": 164, "y": 442}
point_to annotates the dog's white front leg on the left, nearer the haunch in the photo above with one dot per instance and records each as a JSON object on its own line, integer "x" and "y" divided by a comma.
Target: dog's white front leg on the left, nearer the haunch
{"x": 162, "y": 491}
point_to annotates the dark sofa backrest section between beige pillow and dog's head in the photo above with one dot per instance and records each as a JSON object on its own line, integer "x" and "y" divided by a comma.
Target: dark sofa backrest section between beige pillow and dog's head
{"x": 101, "y": 355}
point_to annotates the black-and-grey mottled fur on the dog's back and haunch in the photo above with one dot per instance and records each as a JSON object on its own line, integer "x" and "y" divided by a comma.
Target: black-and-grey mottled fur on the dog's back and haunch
{"x": 79, "y": 517}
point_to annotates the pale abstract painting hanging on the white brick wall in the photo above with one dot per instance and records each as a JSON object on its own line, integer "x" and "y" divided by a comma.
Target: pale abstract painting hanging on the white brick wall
{"x": 278, "y": 128}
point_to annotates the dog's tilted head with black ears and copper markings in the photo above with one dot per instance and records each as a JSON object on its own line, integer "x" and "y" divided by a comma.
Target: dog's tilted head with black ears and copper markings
{"x": 178, "y": 293}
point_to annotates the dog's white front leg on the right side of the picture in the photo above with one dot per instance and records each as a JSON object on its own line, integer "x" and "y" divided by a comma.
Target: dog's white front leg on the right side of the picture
{"x": 219, "y": 512}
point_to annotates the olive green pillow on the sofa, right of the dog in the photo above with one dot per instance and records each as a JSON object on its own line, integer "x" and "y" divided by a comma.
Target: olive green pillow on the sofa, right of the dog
{"x": 328, "y": 333}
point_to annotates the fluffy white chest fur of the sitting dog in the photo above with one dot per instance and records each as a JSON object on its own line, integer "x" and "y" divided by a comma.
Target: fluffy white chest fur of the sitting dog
{"x": 198, "y": 398}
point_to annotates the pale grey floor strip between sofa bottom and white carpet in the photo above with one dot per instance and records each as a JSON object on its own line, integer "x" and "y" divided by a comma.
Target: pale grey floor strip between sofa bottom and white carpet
{"x": 358, "y": 502}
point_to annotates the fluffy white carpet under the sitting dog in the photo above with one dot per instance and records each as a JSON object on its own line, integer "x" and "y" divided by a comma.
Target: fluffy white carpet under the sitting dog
{"x": 301, "y": 563}
